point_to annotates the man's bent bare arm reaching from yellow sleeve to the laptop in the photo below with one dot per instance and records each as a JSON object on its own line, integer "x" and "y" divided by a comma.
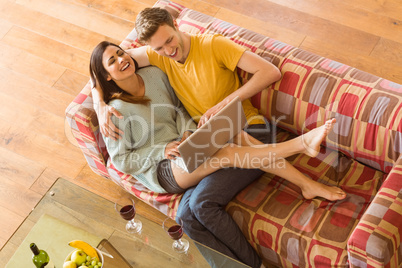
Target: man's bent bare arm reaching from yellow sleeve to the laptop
{"x": 264, "y": 74}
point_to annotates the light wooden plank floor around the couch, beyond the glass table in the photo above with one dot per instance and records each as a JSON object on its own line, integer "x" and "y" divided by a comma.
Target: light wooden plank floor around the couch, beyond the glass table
{"x": 45, "y": 47}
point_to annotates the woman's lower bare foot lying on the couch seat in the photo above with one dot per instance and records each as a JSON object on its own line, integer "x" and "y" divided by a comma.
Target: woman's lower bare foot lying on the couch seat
{"x": 315, "y": 189}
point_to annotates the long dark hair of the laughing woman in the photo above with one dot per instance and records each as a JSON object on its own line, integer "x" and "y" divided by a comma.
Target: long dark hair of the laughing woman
{"x": 99, "y": 74}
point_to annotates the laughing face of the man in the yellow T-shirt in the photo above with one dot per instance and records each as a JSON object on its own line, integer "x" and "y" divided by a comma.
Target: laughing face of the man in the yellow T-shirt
{"x": 168, "y": 42}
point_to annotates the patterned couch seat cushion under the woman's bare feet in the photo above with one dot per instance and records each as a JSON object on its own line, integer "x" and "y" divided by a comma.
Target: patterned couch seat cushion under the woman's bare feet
{"x": 290, "y": 230}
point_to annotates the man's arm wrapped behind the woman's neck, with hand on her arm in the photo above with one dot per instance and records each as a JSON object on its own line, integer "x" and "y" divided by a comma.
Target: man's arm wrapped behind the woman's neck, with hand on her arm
{"x": 104, "y": 111}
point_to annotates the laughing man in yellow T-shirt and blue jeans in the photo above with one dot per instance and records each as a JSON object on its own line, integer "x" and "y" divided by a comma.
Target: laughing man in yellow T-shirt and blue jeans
{"x": 202, "y": 71}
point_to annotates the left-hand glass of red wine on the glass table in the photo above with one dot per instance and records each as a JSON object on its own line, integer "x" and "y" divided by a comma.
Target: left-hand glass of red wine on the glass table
{"x": 125, "y": 206}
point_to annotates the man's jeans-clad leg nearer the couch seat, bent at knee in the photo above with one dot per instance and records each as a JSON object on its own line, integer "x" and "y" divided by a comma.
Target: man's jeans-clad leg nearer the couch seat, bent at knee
{"x": 208, "y": 202}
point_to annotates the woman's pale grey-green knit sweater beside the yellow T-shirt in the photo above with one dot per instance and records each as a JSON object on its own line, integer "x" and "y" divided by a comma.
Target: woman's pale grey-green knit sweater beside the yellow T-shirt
{"x": 148, "y": 128}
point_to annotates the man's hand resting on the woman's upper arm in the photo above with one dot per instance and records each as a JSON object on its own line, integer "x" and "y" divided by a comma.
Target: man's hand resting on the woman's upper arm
{"x": 107, "y": 128}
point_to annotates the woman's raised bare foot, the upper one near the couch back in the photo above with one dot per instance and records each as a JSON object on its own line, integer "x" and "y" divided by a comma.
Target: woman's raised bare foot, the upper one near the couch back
{"x": 312, "y": 140}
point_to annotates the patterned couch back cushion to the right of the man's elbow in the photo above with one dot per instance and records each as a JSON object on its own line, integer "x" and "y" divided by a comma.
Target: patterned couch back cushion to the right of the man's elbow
{"x": 319, "y": 88}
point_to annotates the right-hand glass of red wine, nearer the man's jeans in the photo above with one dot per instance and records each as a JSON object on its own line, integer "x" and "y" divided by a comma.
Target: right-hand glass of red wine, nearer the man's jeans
{"x": 175, "y": 231}
